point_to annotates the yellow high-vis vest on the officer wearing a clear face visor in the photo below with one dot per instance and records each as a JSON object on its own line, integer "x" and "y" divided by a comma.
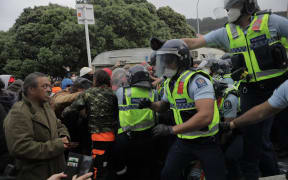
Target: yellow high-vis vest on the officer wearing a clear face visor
{"x": 181, "y": 102}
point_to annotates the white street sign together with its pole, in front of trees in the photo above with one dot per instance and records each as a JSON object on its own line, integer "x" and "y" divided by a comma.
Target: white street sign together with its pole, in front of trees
{"x": 85, "y": 15}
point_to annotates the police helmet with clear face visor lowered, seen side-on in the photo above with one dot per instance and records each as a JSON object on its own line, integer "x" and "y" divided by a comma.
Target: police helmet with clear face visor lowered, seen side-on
{"x": 174, "y": 51}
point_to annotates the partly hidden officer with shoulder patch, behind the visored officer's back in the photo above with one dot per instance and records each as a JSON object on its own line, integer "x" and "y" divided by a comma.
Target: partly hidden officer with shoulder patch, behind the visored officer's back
{"x": 232, "y": 144}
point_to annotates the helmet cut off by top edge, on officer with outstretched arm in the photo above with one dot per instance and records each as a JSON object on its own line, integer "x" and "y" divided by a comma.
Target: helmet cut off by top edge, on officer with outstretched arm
{"x": 249, "y": 6}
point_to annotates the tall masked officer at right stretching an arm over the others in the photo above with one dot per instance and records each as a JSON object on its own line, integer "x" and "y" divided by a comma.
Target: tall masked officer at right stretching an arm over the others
{"x": 257, "y": 40}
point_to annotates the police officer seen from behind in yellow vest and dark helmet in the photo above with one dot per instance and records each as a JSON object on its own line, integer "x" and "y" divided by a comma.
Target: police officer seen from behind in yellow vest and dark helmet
{"x": 133, "y": 148}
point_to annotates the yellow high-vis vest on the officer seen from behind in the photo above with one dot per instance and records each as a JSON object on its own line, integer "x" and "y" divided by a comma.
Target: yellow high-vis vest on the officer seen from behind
{"x": 131, "y": 117}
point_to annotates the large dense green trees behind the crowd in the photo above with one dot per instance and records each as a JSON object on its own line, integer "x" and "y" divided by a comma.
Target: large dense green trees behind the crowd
{"x": 46, "y": 38}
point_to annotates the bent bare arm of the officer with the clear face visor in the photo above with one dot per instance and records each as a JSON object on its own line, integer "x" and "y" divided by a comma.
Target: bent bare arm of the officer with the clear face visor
{"x": 203, "y": 117}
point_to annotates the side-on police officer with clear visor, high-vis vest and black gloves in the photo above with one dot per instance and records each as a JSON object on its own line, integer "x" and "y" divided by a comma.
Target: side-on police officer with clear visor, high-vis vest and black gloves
{"x": 190, "y": 95}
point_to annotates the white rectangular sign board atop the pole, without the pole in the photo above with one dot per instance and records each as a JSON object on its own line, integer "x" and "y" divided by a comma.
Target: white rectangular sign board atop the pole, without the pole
{"x": 85, "y": 12}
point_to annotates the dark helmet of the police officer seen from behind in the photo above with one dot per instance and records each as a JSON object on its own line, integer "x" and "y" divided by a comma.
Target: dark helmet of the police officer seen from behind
{"x": 138, "y": 76}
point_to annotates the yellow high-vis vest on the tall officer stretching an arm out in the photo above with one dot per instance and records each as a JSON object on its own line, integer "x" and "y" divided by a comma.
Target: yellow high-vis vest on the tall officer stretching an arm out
{"x": 241, "y": 44}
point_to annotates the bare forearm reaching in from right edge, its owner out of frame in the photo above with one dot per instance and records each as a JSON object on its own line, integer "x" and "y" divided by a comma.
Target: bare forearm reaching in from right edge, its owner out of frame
{"x": 255, "y": 115}
